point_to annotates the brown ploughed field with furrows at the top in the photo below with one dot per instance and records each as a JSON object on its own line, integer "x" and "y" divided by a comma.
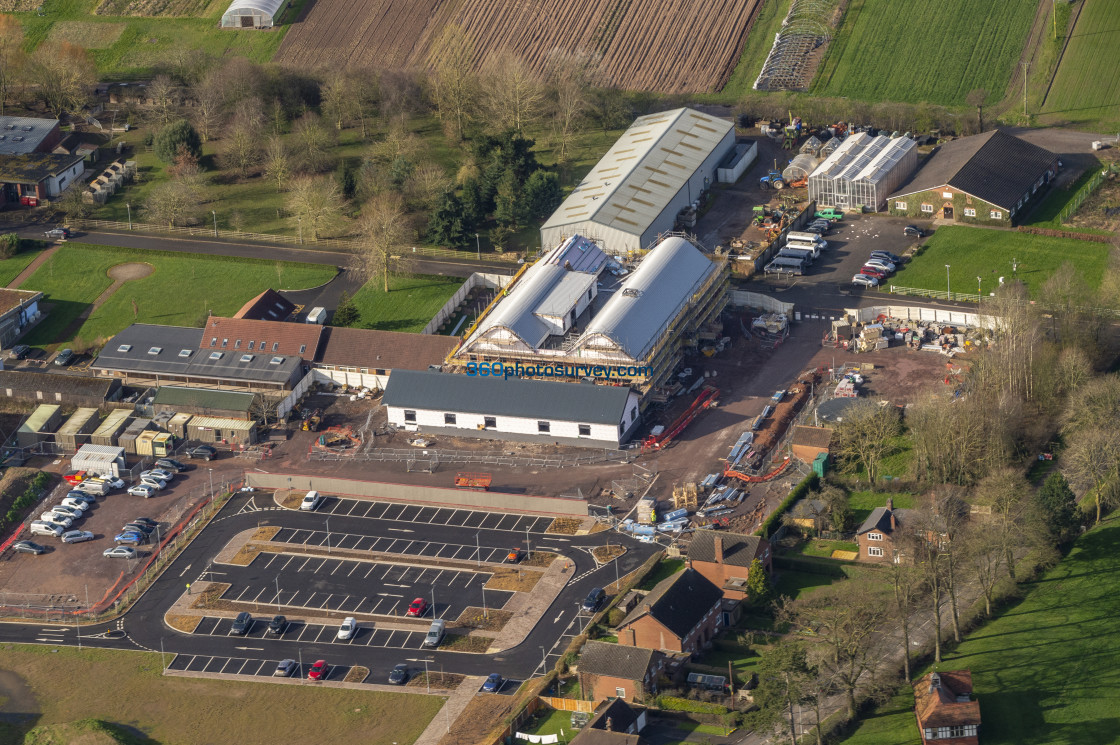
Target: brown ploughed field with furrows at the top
{"x": 670, "y": 46}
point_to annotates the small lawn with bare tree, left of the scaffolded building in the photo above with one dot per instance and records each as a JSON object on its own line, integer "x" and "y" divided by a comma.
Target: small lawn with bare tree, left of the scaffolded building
{"x": 409, "y": 305}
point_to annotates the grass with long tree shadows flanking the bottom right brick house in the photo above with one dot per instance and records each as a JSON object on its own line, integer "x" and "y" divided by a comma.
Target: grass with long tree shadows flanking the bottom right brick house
{"x": 1046, "y": 670}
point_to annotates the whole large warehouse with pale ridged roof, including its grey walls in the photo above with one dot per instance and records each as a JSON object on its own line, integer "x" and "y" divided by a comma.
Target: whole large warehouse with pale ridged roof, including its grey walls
{"x": 633, "y": 195}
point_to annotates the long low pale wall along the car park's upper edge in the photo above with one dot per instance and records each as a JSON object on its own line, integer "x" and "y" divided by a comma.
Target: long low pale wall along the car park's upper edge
{"x": 546, "y": 506}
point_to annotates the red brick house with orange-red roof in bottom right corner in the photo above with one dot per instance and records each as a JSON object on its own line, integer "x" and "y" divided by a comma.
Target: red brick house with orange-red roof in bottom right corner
{"x": 947, "y": 715}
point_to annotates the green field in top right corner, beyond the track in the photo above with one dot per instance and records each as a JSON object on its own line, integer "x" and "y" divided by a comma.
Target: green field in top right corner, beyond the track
{"x": 1087, "y": 88}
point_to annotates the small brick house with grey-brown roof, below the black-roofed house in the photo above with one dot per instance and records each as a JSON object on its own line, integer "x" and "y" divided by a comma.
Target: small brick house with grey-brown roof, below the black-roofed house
{"x": 618, "y": 672}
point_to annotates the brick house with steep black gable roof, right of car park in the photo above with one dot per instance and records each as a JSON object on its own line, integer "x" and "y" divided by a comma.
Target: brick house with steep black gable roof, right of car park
{"x": 682, "y": 614}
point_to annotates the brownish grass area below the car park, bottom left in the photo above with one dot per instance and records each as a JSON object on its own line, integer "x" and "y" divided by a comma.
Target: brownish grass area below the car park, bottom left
{"x": 71, "y": 685}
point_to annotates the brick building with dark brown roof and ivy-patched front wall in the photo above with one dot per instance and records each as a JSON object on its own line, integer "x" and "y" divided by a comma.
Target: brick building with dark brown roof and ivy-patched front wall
{"x": 986, "y": 180}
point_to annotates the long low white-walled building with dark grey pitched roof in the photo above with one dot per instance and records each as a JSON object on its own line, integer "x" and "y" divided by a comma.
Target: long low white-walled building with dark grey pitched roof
{"x": 512, "y": 409}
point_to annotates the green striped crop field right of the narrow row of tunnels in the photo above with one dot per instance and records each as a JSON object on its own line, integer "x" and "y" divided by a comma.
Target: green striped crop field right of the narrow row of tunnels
{"x": 926, "y": 51}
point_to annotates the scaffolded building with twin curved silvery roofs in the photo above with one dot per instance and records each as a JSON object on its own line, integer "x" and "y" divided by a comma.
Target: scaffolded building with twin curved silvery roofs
{"x": 554, "y": 319}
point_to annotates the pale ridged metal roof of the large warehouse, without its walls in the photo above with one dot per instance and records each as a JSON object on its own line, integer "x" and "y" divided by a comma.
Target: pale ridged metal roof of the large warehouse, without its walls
{"x": 645, "y": 170}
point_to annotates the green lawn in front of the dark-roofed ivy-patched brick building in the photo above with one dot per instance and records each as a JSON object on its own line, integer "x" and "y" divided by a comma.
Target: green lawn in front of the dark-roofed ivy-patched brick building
{"x": 975, "y": 253}
